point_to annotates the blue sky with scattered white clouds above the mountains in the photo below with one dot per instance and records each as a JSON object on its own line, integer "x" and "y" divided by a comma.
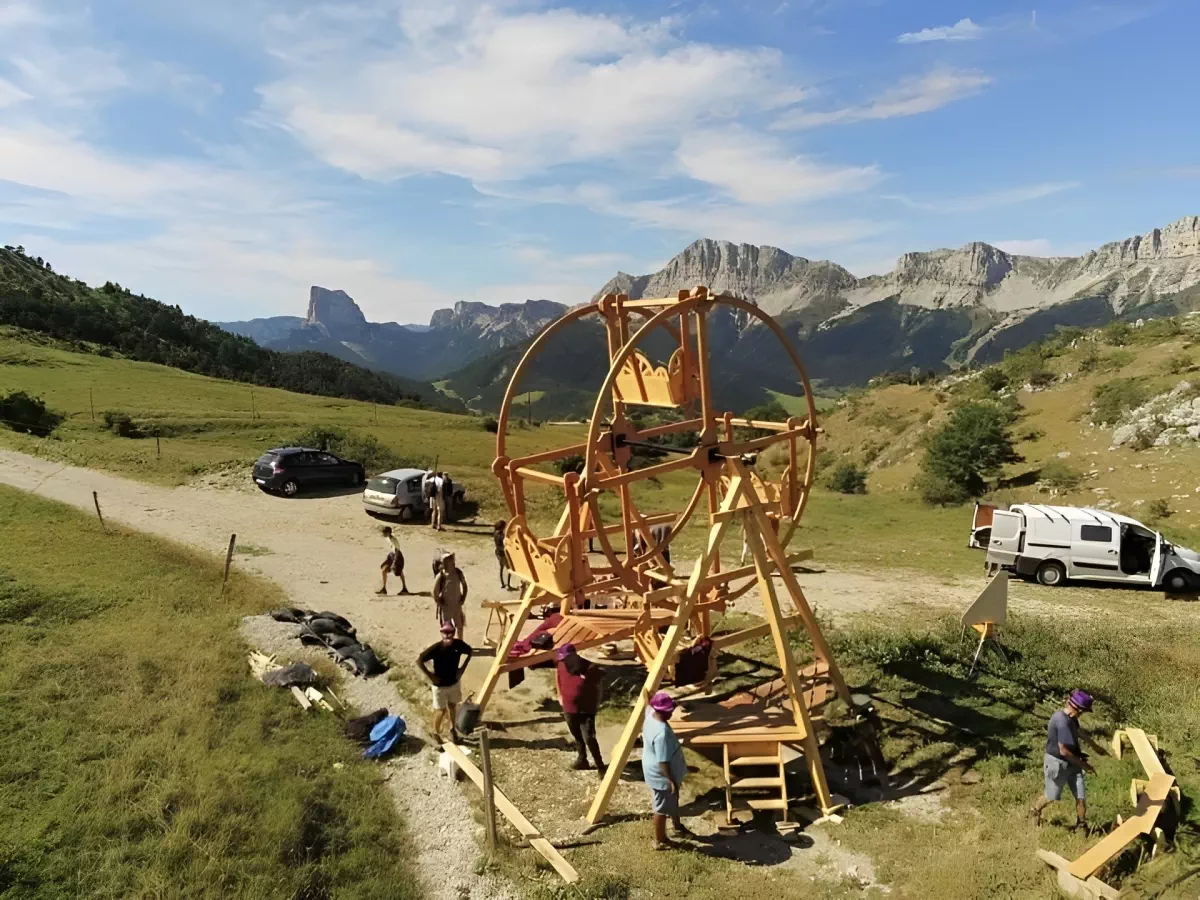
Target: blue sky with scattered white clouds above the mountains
{"x": 225, "y": 155}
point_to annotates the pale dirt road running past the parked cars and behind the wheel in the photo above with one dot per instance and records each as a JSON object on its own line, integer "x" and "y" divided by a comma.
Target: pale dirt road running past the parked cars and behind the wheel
{"x": 326, "y": 554}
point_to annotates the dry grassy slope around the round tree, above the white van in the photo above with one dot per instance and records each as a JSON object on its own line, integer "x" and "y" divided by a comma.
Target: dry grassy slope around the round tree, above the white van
{"x": 883, "y": 429}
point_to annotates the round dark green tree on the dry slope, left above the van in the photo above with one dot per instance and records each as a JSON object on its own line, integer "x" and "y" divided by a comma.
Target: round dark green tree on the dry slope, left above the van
{"x": 971, "y": 448}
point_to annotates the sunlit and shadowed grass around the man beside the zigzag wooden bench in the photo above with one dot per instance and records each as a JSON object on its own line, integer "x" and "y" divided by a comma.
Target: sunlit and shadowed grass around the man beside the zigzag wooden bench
{"x": 943, "y": 723}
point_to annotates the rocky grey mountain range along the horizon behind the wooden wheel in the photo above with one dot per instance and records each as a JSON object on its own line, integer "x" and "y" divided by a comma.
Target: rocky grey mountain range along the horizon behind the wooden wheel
{"x": 934, "y": 310}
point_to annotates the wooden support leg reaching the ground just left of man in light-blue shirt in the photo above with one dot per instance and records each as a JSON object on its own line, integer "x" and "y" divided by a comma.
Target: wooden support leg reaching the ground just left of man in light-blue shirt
{"x": 620, "y": 755}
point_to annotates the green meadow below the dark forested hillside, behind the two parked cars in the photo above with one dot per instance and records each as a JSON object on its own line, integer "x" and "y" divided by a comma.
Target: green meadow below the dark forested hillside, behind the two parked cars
{"x": 220, "y": 427}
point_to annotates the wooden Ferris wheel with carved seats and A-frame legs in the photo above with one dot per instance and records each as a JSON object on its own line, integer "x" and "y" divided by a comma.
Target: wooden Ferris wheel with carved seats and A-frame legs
{"x": 647, "y": 602}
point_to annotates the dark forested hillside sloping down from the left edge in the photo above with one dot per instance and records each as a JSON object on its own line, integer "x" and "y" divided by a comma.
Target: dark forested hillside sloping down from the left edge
{"x": 34, "y": 297}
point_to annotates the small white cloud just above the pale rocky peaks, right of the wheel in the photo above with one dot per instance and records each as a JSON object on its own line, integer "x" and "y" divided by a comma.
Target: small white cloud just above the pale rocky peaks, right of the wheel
{"x": 753, "y": 169}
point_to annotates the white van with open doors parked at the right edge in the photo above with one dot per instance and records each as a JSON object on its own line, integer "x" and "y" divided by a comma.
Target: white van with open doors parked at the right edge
{"x": 1055, "y": 544}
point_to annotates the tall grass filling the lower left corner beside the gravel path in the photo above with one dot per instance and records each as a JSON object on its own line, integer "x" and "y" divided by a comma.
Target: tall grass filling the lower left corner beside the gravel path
{"x": 137, "y": 755}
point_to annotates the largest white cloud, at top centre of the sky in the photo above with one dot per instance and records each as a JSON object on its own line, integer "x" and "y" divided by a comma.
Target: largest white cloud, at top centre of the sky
{"x": 489, "y": 95}
